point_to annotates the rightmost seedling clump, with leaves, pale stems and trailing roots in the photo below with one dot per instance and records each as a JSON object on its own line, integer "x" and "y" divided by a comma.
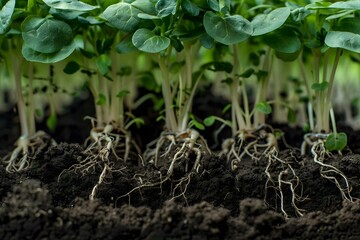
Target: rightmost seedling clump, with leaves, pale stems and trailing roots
{"x": 330, "y": 29}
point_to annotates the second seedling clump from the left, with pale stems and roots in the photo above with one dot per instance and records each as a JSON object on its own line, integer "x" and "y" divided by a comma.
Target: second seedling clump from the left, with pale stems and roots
{"x": 110, "y": 67}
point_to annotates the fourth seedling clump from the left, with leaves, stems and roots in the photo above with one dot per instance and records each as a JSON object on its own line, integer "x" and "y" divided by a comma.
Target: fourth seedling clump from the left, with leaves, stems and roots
{"x": 252, "y": 137}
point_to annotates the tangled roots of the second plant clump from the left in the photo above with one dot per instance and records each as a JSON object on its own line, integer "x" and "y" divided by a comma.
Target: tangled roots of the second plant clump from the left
{"x": 106, "y": 141}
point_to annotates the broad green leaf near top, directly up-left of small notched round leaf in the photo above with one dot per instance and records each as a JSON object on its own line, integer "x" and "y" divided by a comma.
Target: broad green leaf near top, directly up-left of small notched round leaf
{"x": 123, "y": 16}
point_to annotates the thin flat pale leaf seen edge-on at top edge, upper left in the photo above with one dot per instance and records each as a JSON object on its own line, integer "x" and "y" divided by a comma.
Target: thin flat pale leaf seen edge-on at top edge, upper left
{"x": 72, "y": 5}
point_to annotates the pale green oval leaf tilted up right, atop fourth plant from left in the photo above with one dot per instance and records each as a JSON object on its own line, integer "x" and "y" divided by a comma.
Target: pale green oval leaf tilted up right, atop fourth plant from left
{"x": 265, "y": 23}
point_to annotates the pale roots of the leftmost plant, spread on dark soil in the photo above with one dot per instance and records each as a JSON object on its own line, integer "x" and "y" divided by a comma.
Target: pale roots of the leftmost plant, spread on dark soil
{"x": 26, "y": 149}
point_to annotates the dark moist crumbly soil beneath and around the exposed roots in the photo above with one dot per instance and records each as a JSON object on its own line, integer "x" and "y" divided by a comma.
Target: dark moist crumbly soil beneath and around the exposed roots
{"x": 51, "y": 201}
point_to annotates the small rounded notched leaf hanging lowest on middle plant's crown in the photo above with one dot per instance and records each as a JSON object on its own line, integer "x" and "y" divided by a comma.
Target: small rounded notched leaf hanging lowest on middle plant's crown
{"x": 147, "y": 41}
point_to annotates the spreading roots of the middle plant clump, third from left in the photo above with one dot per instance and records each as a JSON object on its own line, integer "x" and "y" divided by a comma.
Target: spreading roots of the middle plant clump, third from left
{"x": 185, "y": 150}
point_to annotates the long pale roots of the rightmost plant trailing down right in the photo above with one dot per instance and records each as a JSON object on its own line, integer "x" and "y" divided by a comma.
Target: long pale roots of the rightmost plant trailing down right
{"x": 319, "y": 152}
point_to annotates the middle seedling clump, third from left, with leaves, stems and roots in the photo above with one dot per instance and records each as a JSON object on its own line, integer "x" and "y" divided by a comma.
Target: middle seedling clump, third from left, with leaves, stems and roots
{"x": 166, "y": 31}
